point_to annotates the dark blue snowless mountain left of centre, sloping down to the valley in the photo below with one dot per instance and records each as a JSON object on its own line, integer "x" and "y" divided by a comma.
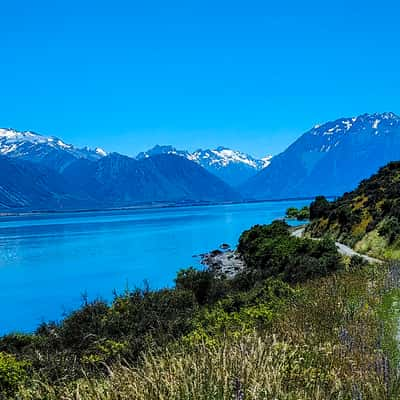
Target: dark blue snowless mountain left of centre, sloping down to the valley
{"x": 121, "y": 180}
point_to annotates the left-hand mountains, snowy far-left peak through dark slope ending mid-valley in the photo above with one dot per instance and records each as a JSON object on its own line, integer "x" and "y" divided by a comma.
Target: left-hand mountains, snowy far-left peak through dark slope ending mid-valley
{"x": 43, "y": 173}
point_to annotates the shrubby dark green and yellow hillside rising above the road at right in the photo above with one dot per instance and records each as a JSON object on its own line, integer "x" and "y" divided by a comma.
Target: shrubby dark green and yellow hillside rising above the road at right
{"x": 368, "y": 218}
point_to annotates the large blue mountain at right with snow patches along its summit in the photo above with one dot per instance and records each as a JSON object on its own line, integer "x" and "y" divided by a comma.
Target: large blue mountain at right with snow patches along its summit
{"x": 330, "y": 158}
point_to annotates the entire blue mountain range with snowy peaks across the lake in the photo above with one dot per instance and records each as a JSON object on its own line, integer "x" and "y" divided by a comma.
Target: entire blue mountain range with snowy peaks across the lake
{"x": 40, "y": 172}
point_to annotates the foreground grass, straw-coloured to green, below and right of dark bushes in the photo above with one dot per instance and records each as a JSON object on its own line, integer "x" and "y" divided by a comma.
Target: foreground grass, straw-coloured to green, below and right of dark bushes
{"x": 334, "y": 341}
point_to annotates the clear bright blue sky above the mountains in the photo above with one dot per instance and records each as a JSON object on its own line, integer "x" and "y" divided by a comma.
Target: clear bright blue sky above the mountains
{"x": 251, "y": 75}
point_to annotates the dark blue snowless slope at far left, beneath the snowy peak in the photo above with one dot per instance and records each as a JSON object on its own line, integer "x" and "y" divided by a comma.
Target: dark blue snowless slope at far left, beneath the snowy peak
{"x": 27, "y": 186}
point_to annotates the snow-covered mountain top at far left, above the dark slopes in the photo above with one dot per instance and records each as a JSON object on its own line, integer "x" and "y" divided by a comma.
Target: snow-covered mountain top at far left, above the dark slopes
{"x": 50, "y": 151}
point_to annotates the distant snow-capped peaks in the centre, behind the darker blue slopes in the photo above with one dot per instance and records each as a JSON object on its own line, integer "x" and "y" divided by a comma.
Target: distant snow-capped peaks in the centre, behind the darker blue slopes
{"x": 233, "y": 167}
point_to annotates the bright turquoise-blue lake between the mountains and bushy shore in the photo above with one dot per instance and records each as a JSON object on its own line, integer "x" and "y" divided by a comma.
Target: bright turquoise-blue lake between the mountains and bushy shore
{"x": 49, "y": 261}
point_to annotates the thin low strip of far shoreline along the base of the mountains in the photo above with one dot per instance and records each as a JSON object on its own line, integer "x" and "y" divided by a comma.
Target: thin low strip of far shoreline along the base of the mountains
{"x": 146, "y": 206}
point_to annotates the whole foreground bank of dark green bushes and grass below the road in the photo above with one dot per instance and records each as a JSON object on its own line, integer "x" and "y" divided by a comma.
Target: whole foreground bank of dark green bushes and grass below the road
{"x": 298, "y": 323}
